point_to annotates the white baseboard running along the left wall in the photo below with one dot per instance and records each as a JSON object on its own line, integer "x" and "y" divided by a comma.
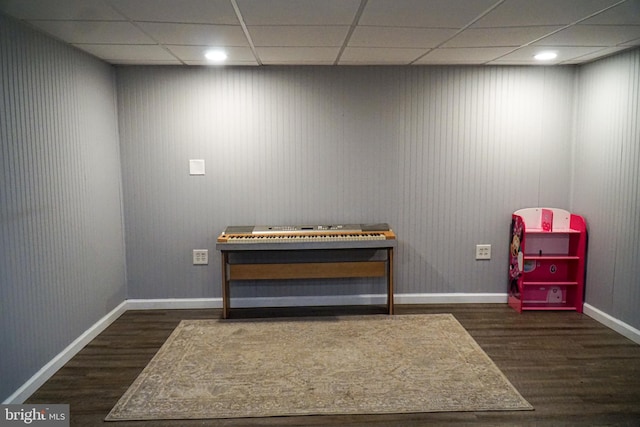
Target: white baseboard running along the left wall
{"x": 47, "y": 371}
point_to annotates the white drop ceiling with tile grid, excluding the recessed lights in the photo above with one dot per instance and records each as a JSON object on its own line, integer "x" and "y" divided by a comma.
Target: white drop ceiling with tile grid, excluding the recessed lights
{"x": 337, "y": 32}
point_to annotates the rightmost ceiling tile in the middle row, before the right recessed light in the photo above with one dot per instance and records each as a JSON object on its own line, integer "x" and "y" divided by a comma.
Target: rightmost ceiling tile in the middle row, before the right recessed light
{"x": 593, "y": 35}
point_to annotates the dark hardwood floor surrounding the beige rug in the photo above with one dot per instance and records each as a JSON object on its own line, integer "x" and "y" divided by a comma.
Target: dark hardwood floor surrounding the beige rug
{"x": 573, "y": 370}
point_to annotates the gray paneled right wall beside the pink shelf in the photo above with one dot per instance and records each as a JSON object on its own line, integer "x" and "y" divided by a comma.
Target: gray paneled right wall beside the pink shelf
{"x": 607, "y": 182}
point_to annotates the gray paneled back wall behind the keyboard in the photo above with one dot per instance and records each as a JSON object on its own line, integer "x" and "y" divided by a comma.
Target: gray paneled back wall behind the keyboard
{"x": 443, "y": 154}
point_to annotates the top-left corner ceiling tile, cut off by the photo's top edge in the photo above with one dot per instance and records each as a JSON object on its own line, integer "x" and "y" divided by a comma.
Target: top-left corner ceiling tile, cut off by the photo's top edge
{"x": 83, "y": 10}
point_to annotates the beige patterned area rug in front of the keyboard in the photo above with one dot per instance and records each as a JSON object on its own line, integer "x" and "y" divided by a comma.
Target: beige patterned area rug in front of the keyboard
{"x": 346, "y": 365}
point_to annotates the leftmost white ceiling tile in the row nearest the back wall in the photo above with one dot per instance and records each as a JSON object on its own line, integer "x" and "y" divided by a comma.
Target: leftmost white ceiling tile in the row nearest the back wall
{"x": 129, "y": 53}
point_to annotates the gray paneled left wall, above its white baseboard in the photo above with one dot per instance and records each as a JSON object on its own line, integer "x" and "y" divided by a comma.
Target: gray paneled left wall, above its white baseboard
{"x": 62, "y": 263}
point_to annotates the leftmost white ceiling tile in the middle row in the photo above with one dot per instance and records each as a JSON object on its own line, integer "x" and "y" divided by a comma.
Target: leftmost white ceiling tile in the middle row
{"x": 108, "y": 32}
